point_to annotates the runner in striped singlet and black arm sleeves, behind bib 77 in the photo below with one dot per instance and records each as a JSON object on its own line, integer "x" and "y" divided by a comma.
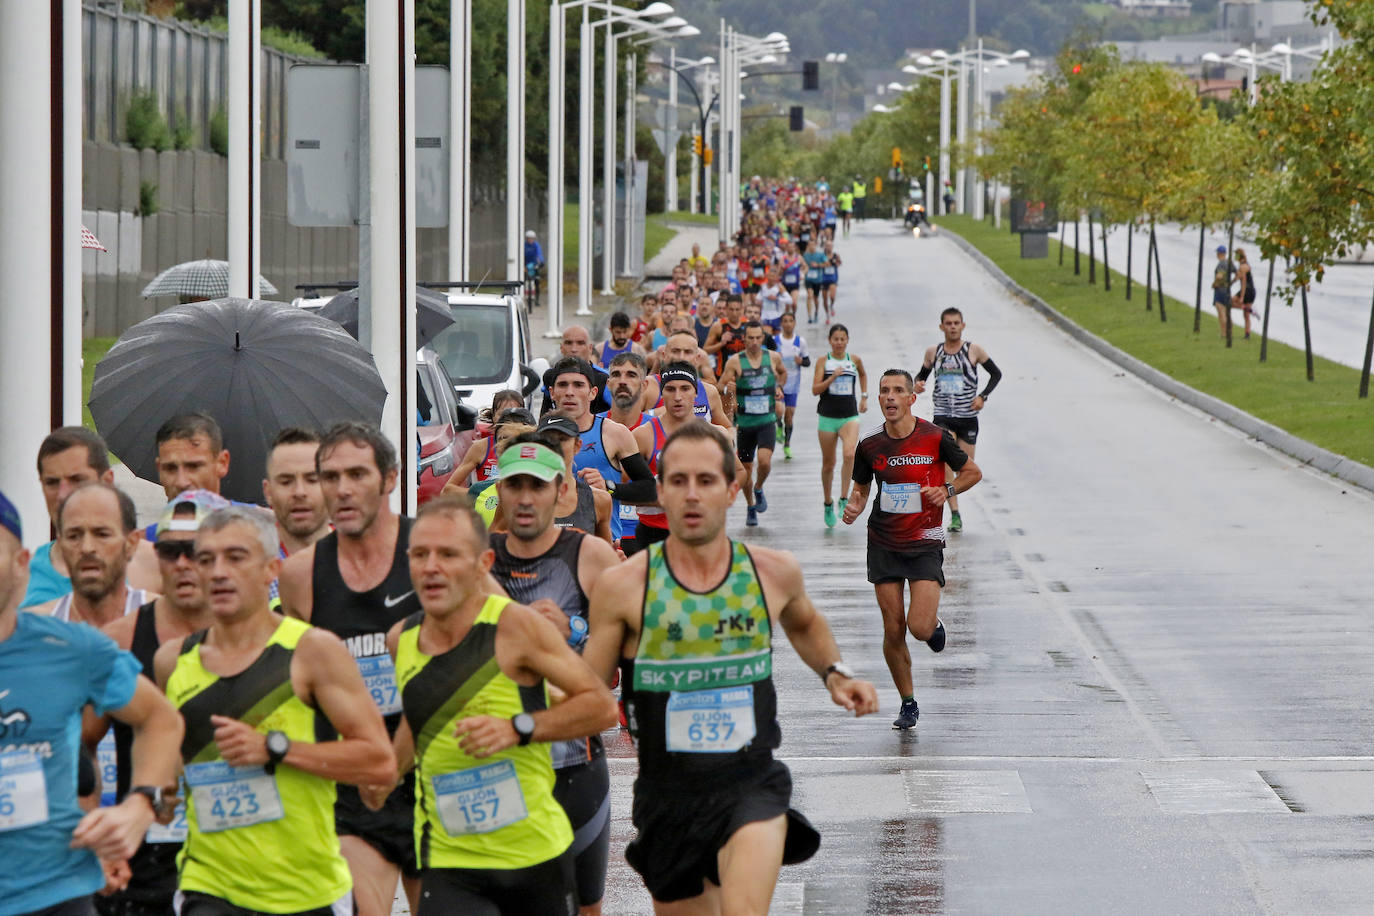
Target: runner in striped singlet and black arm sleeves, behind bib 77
{"x": 956, "y": 363}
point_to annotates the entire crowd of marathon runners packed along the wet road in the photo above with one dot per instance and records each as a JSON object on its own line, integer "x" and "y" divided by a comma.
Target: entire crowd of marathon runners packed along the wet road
{"x": 306, "y": 709}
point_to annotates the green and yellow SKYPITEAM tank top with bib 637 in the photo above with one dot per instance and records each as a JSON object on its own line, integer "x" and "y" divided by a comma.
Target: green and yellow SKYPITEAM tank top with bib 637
{"x": 699, "y": 693}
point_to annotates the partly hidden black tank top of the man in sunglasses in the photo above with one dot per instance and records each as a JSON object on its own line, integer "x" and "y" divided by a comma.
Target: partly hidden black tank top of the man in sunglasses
{"x": 155, "y": 866}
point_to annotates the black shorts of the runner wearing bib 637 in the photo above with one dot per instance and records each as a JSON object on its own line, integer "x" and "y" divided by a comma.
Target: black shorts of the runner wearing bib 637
{"x": 679, "y": 834}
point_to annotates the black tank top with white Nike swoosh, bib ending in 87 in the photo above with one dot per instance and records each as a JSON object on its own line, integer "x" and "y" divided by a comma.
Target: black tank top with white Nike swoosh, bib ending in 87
{"x": 362, "y": 620}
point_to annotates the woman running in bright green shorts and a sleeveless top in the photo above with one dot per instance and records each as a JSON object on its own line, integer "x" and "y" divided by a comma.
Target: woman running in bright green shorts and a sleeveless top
{"x": 837, "y": 414}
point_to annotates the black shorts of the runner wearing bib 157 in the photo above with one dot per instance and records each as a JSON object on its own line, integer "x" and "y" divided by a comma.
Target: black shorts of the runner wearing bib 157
{"x": 545, "y": 889}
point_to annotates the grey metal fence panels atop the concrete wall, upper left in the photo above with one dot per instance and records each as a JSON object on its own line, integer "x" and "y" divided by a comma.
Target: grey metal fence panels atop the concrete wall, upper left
{"x": 183, "y": 65}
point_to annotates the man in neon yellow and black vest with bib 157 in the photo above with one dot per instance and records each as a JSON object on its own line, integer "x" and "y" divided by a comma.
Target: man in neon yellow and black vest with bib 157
{"x": 473, "y": 669}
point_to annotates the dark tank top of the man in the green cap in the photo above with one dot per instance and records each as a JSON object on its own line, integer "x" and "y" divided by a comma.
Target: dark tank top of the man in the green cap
{"x": 553, "y": 576}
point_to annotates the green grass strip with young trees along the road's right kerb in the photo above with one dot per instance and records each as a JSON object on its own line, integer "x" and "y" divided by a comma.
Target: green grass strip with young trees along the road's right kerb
{"x": 1327, "y": 411}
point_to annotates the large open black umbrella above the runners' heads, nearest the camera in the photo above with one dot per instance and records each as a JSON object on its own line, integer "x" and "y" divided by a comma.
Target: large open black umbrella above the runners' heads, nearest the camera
{"x": 254, "y": 366}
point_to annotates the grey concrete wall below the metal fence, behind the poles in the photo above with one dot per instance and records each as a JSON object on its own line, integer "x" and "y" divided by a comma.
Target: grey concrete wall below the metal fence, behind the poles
{"x": 192, "y": 223}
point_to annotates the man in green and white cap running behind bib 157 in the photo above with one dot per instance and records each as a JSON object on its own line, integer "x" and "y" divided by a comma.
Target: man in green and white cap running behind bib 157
{"x": 553, "y": 571}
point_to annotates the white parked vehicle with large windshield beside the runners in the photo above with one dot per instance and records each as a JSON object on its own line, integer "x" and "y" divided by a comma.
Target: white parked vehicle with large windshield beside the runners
{"x": 488, "y": 347}
